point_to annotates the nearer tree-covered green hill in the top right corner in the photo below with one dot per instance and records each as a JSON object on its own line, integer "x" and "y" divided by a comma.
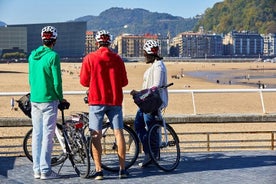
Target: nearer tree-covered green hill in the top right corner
{"x": 254, "y": 15}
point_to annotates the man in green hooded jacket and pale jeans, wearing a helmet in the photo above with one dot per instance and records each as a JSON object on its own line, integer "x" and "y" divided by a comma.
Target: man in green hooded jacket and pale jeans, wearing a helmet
{"x": 46, "y": 93}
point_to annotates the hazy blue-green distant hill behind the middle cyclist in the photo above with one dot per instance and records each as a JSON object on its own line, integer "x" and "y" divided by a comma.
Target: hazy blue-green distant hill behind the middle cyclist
{"x": 138, "y": 21}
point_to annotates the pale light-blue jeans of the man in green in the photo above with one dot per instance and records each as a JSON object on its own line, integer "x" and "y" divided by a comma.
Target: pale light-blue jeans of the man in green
{"x": 44, "y": 116}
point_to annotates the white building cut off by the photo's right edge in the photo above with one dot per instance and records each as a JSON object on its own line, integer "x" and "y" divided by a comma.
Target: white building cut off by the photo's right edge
{"x": 269, "y": 44}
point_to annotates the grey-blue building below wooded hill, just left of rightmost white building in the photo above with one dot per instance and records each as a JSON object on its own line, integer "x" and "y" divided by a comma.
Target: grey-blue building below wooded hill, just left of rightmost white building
{"x": 243, "y": 44}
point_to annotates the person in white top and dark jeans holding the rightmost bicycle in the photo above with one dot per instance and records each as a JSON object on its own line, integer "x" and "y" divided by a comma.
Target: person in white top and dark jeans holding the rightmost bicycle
{"x": 154, "y": 76}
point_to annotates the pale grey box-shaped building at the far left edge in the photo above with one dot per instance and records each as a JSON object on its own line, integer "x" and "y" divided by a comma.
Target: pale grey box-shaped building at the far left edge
{"x": 13, "y": 37}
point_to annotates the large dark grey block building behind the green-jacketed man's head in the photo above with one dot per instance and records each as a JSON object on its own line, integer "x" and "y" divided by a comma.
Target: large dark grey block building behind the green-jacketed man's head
{"x": 71, "y": 37}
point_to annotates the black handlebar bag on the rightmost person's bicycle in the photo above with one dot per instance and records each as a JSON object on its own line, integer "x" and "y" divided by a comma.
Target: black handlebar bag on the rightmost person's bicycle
{"x": 148, "y": 100}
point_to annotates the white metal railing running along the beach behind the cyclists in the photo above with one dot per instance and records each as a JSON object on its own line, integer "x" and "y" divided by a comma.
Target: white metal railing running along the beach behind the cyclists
{"x": 176, "y": 91}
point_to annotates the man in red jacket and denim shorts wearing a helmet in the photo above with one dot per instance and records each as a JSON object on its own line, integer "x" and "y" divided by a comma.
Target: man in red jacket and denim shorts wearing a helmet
{"x": 103, "y": 71}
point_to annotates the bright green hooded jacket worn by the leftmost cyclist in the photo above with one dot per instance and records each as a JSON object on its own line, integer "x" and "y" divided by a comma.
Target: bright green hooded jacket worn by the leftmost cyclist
{"x": 45, "y": 75}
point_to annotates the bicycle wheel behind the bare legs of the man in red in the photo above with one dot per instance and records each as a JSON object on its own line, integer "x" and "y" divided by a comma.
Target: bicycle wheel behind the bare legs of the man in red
{"x": 109, "y": 159}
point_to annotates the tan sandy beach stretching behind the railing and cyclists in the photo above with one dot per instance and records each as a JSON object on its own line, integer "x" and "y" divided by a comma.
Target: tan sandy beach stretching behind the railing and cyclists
{"x": 14, "y": 78}
